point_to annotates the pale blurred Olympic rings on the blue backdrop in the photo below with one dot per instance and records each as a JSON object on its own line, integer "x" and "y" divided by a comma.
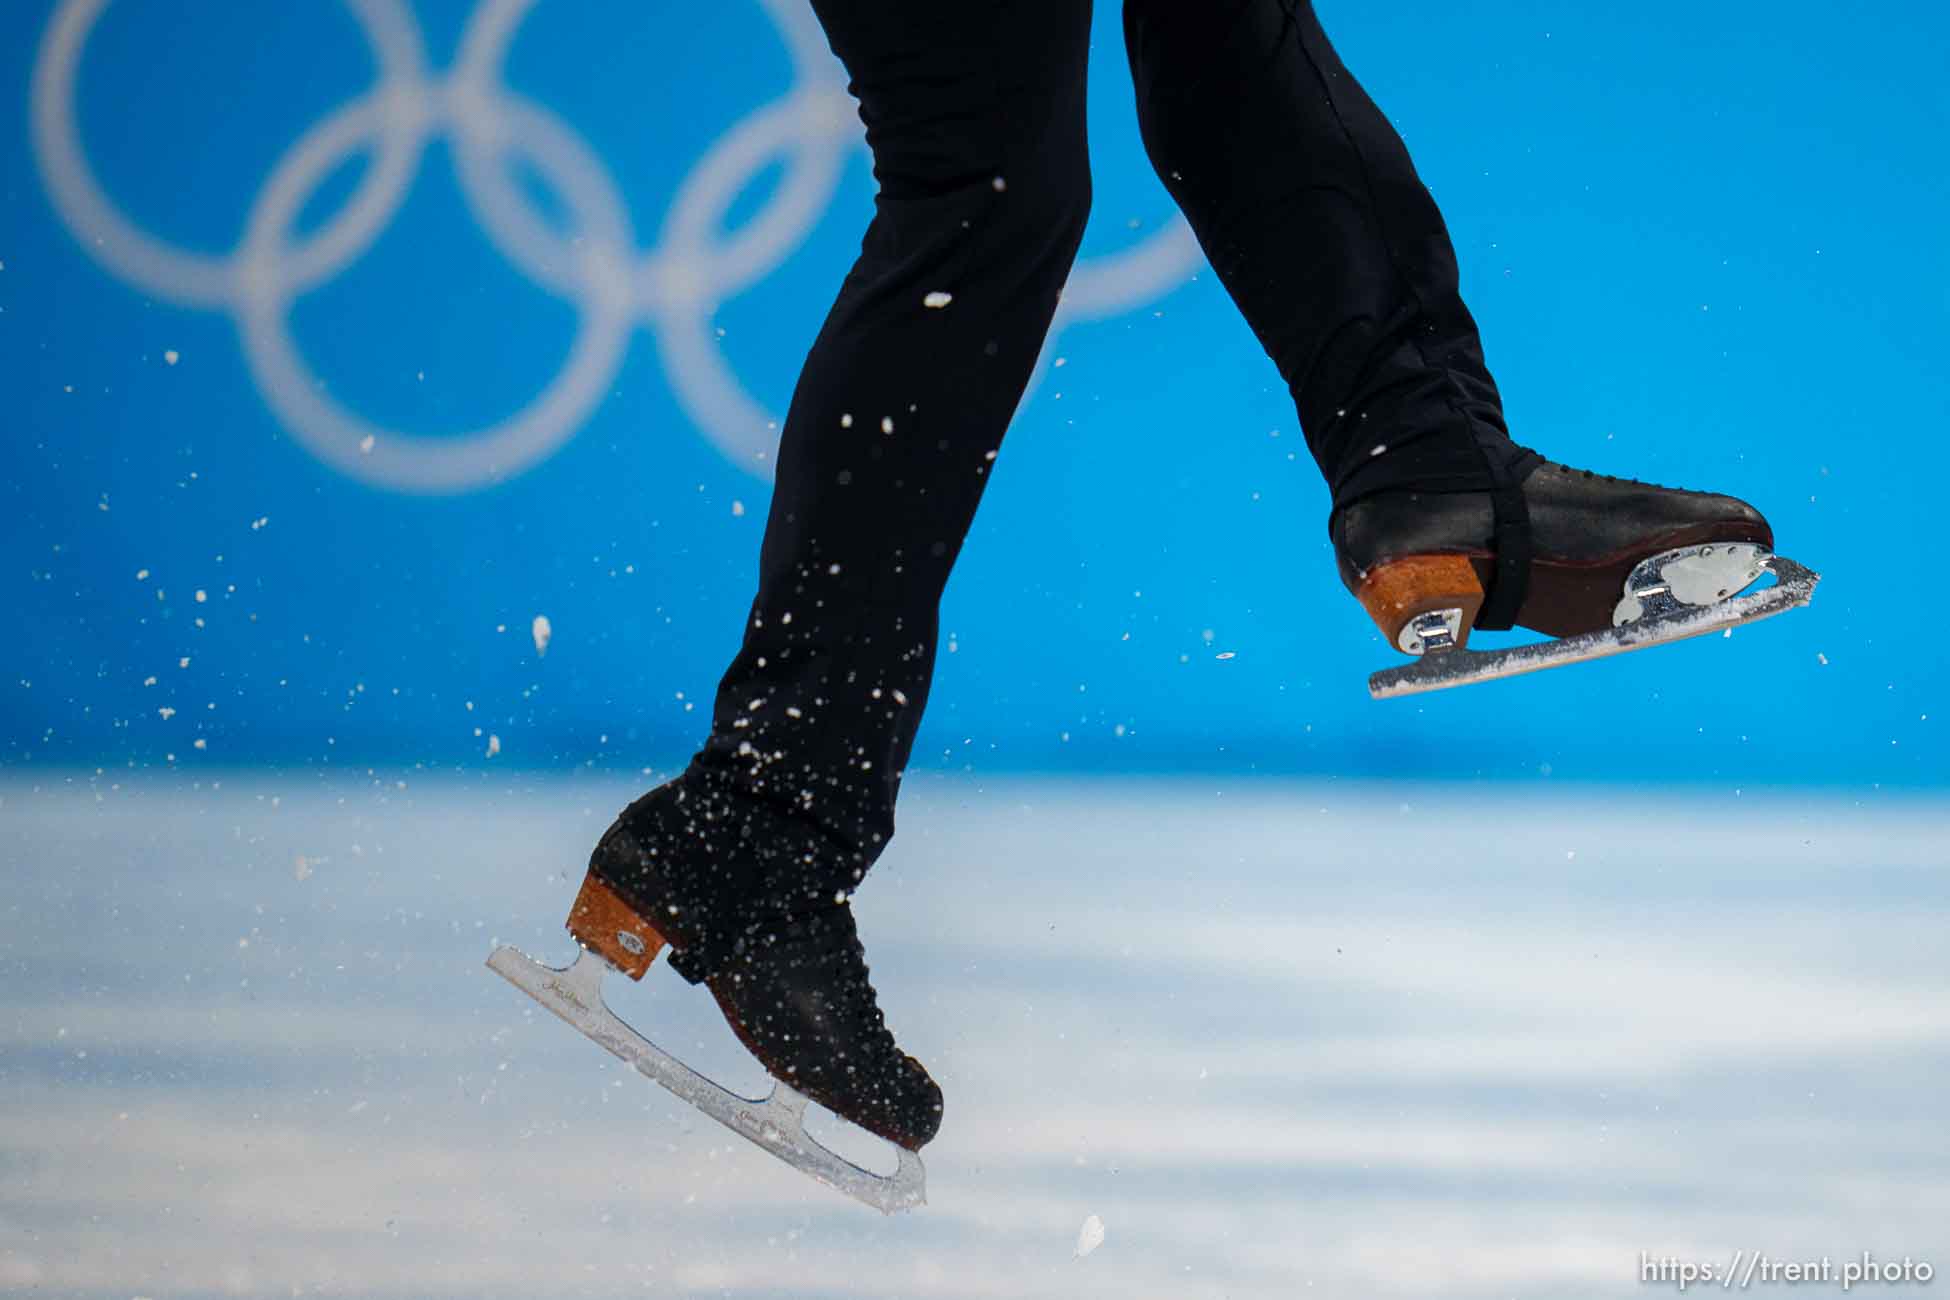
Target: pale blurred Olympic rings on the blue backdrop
{"x": 674, "y": 287}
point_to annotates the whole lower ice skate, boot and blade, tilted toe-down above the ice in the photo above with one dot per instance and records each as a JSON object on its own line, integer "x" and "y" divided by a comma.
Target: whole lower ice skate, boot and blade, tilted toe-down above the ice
{"x": 791, "y": 981}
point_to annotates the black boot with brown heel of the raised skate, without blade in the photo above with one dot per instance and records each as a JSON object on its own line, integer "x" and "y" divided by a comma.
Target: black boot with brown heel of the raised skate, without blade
{"x": 1551, "y": 551}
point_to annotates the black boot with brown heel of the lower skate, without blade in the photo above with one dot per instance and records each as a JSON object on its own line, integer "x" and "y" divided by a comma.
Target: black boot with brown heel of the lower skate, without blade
{"x": 787, "y": 970}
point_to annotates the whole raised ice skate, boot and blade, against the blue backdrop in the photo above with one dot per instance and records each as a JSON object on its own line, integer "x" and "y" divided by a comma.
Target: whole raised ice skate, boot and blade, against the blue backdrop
{"x": 1600, "y": 564}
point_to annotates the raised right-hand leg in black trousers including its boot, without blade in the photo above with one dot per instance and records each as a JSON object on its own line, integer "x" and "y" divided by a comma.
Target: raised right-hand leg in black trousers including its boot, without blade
{"x": 1319, "y": 227}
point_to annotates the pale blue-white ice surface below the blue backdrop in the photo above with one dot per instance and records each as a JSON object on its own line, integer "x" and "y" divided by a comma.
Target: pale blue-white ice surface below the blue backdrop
{"x": 1288, "y": 1040}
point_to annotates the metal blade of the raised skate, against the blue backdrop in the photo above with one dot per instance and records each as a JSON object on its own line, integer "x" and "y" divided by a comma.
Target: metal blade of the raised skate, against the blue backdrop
{"x": 1793, "y": 588}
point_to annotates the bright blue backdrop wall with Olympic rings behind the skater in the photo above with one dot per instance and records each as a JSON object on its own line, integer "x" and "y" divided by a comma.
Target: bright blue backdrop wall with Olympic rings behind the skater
{"x": 342, "y": 342}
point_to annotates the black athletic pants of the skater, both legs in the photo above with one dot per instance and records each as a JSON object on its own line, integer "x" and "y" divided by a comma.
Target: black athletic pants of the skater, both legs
{"x": 1306, "y": 204}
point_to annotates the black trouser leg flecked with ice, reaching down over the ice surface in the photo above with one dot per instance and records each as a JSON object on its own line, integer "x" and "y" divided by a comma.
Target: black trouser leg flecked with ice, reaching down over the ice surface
{"x": 976, "y": 120}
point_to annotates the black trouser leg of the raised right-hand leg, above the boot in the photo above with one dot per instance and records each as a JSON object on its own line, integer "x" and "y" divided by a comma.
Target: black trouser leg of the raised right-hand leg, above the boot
{"x": 1319, "y": 227}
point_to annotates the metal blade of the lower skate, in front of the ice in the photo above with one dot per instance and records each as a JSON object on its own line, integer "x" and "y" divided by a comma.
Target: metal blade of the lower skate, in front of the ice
{"x": 775, "y": 1122}
